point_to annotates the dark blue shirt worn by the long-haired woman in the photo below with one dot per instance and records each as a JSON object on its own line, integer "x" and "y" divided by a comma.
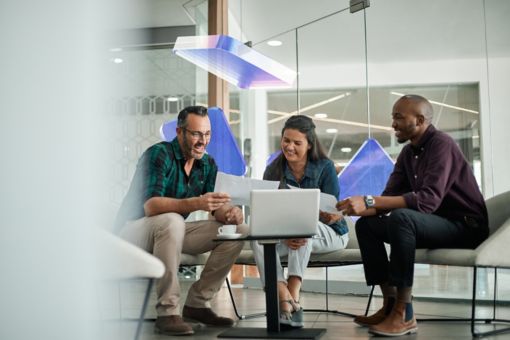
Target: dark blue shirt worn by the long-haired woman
{"x": 319, "y": 174}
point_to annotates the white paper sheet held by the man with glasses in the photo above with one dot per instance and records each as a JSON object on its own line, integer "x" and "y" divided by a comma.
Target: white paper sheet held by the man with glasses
{"x": 239, "y": 188}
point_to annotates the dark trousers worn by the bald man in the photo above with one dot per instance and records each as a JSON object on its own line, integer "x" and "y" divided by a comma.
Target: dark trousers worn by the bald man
{"x": 407, "y": 230}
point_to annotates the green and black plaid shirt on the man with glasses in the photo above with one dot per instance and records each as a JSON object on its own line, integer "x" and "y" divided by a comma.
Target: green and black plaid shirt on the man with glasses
{"x": 160, "y": 173}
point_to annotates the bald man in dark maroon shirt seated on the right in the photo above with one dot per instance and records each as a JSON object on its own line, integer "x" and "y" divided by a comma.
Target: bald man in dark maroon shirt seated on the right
{"x": 431, "y": 200}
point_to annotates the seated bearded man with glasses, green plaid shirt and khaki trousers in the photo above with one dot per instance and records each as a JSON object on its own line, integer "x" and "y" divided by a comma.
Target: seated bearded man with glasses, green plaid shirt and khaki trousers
{"x": 172, "y": 180}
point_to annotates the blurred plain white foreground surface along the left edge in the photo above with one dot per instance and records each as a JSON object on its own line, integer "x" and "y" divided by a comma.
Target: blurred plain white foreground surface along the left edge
{"x": 51, "y": 146}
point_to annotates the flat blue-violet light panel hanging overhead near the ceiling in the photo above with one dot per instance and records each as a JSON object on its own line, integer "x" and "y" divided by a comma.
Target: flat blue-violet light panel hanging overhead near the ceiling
{"x": 230, "y": 59}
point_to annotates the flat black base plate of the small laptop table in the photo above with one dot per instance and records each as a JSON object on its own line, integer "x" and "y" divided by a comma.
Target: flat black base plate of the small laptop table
{"x": 263, "y": 333}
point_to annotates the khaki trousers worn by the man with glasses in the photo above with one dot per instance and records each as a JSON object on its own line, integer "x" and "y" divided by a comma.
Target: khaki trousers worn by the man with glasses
{"x": 167, "y": 236}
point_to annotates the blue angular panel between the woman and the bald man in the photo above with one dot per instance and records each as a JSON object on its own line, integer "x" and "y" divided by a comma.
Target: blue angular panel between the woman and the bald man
{"x": 367, "y": 172}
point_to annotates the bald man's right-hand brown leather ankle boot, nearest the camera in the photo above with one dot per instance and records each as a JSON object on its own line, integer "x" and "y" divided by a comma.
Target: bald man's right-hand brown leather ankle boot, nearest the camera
{"x": 401, "y": 321}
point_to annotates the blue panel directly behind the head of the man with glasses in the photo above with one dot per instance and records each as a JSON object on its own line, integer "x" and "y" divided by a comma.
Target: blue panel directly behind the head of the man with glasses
{"x": 223, "y": 147}
